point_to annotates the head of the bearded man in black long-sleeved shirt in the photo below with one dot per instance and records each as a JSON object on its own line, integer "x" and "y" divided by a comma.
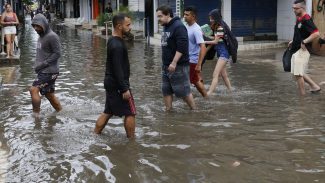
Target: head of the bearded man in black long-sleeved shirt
{"x": 122, "y": 23}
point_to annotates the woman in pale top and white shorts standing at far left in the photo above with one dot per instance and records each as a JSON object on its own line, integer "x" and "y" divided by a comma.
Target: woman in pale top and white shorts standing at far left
{"x": 9, "y": 21}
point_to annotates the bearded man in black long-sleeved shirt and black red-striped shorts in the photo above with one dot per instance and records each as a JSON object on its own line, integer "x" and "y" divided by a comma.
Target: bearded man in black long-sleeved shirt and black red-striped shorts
{"x": 119, "y": 100}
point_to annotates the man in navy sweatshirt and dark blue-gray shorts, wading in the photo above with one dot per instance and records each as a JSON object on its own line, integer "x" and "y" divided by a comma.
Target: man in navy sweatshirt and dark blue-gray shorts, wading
{"x": 175, "y": 59}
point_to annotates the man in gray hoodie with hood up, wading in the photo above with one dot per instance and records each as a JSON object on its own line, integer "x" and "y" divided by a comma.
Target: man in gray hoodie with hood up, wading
{"x": 46, "y": 64}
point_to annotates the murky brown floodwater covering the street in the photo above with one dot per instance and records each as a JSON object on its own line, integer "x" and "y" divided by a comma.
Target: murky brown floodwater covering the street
{"x": 262, "y": 132}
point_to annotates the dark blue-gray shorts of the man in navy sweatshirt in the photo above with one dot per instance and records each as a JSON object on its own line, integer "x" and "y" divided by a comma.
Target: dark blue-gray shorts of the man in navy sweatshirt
{"x": 177, "y": 82}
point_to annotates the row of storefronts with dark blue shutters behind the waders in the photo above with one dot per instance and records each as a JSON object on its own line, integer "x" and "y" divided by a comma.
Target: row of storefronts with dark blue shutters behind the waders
{"x": 249, "y": 19}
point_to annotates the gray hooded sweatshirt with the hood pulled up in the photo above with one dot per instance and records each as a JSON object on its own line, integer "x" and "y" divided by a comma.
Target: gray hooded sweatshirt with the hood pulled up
{"x": 48, "y": 48}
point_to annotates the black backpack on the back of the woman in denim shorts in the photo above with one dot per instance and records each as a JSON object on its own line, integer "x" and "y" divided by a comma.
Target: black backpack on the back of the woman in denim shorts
{"x": 231, "y": 41}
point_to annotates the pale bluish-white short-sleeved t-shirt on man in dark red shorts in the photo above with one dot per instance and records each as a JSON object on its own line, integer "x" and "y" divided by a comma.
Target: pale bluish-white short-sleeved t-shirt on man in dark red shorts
{"x": 195, "y": 38}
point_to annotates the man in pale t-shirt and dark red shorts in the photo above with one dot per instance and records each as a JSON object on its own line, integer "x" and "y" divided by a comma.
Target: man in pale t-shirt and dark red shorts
{"x": 197, "y": 48}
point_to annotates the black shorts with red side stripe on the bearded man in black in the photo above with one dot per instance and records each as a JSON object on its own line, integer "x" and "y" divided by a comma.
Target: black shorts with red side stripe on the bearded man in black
{"x": 117, "y": 106}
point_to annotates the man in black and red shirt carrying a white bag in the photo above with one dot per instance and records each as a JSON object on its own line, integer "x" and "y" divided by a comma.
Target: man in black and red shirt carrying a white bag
{"x": 305, "y": 32}
